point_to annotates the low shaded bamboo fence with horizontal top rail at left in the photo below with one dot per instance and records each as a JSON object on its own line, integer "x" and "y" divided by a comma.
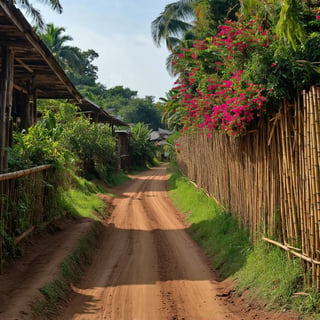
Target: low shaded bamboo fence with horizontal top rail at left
{"x": 23, "y": 198}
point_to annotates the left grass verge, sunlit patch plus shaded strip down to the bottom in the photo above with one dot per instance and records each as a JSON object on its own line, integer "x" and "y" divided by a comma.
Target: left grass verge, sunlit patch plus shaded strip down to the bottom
{"x": 79, "y": 201}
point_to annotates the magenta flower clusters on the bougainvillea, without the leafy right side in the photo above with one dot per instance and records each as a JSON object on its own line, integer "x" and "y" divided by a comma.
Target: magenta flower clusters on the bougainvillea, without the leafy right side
{"x": 212, "y": 84}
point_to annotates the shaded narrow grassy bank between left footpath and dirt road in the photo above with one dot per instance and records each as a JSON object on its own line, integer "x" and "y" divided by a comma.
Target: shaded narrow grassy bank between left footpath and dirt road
{"x": 55, "y": 293}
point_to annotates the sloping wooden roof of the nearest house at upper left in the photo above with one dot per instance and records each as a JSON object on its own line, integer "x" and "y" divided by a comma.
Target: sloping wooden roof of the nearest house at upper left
{"x": 33, "y": 63}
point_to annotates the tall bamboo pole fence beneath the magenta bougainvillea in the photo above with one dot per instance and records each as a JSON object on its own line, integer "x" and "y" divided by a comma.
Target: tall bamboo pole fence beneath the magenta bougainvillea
{"x": 269, "y": 179}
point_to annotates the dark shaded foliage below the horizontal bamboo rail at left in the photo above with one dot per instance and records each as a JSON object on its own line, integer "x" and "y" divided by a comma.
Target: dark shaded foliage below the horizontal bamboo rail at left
{"x": 35, "y": 202}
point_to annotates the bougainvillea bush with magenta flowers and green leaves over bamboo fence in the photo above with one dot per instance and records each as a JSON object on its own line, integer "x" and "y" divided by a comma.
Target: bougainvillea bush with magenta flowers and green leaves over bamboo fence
{"x": 228, "y": 81}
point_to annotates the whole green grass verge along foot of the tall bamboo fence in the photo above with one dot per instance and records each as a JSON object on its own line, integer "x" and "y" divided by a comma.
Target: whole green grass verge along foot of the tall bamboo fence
{"x": 265, "y": 270}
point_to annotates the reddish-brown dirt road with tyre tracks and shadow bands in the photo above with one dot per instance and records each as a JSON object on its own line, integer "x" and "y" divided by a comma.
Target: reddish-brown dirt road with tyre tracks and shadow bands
{"x": 147, "y": 267}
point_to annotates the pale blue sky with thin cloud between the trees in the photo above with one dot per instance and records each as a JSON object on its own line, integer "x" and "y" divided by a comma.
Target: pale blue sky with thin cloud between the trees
{"x": 120, "y": 32}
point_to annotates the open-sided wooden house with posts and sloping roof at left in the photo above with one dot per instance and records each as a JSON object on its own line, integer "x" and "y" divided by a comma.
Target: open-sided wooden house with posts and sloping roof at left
{"x": 29, "y": 71}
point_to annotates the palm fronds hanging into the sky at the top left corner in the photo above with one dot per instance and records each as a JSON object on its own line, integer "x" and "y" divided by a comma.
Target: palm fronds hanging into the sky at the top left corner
{"x": 30, "y": 10}
